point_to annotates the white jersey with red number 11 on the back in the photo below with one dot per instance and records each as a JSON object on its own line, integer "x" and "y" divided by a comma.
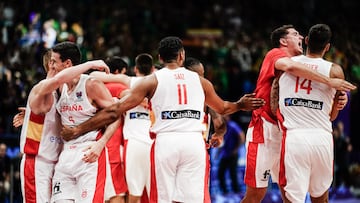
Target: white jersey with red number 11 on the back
{"x": 178, "y": 102}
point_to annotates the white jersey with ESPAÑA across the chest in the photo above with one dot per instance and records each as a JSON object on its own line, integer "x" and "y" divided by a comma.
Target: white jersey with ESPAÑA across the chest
{"x": 75, "y": 108}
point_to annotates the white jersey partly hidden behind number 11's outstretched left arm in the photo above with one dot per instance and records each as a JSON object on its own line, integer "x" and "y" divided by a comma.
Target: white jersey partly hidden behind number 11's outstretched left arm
{"x": 137, "y": 121}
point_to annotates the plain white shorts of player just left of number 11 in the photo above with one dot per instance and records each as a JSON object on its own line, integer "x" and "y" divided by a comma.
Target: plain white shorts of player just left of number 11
{"x": 137, "y": 166}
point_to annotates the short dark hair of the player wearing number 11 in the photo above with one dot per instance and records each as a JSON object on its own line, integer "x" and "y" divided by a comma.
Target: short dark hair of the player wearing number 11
{"x": 169, "y": 48}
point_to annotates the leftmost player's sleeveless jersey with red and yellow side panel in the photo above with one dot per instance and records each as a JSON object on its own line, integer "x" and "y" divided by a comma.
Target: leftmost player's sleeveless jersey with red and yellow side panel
{"x": 40, "y": 133}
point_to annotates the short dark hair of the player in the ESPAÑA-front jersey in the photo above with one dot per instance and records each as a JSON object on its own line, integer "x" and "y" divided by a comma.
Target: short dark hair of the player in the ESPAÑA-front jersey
{"x": 68, "y": 50}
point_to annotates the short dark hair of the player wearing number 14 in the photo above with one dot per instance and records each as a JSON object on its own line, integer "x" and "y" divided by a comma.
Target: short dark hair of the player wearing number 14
{"x": 319, "y": 35}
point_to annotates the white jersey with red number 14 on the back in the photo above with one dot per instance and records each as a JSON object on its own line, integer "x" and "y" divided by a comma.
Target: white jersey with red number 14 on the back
{"x": 305, "y": 103}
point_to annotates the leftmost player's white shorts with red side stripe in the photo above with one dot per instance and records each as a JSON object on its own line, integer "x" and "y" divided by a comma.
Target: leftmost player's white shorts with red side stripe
{"x": 36, "y": 175}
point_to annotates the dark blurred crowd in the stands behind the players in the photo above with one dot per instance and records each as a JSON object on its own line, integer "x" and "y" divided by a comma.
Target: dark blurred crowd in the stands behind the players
{"x": 229, "y": 37}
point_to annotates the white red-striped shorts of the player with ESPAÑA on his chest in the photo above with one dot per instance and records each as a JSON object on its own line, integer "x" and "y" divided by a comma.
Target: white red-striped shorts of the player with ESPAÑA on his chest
{"x": 77, "y": 180}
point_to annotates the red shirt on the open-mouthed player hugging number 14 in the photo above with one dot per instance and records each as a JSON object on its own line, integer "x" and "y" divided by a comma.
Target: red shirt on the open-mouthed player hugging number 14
{"x": 263, "y": 87}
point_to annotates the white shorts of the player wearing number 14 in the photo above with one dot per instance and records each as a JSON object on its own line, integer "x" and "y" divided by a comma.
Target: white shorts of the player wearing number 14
{"x": 308, "y": 163}
